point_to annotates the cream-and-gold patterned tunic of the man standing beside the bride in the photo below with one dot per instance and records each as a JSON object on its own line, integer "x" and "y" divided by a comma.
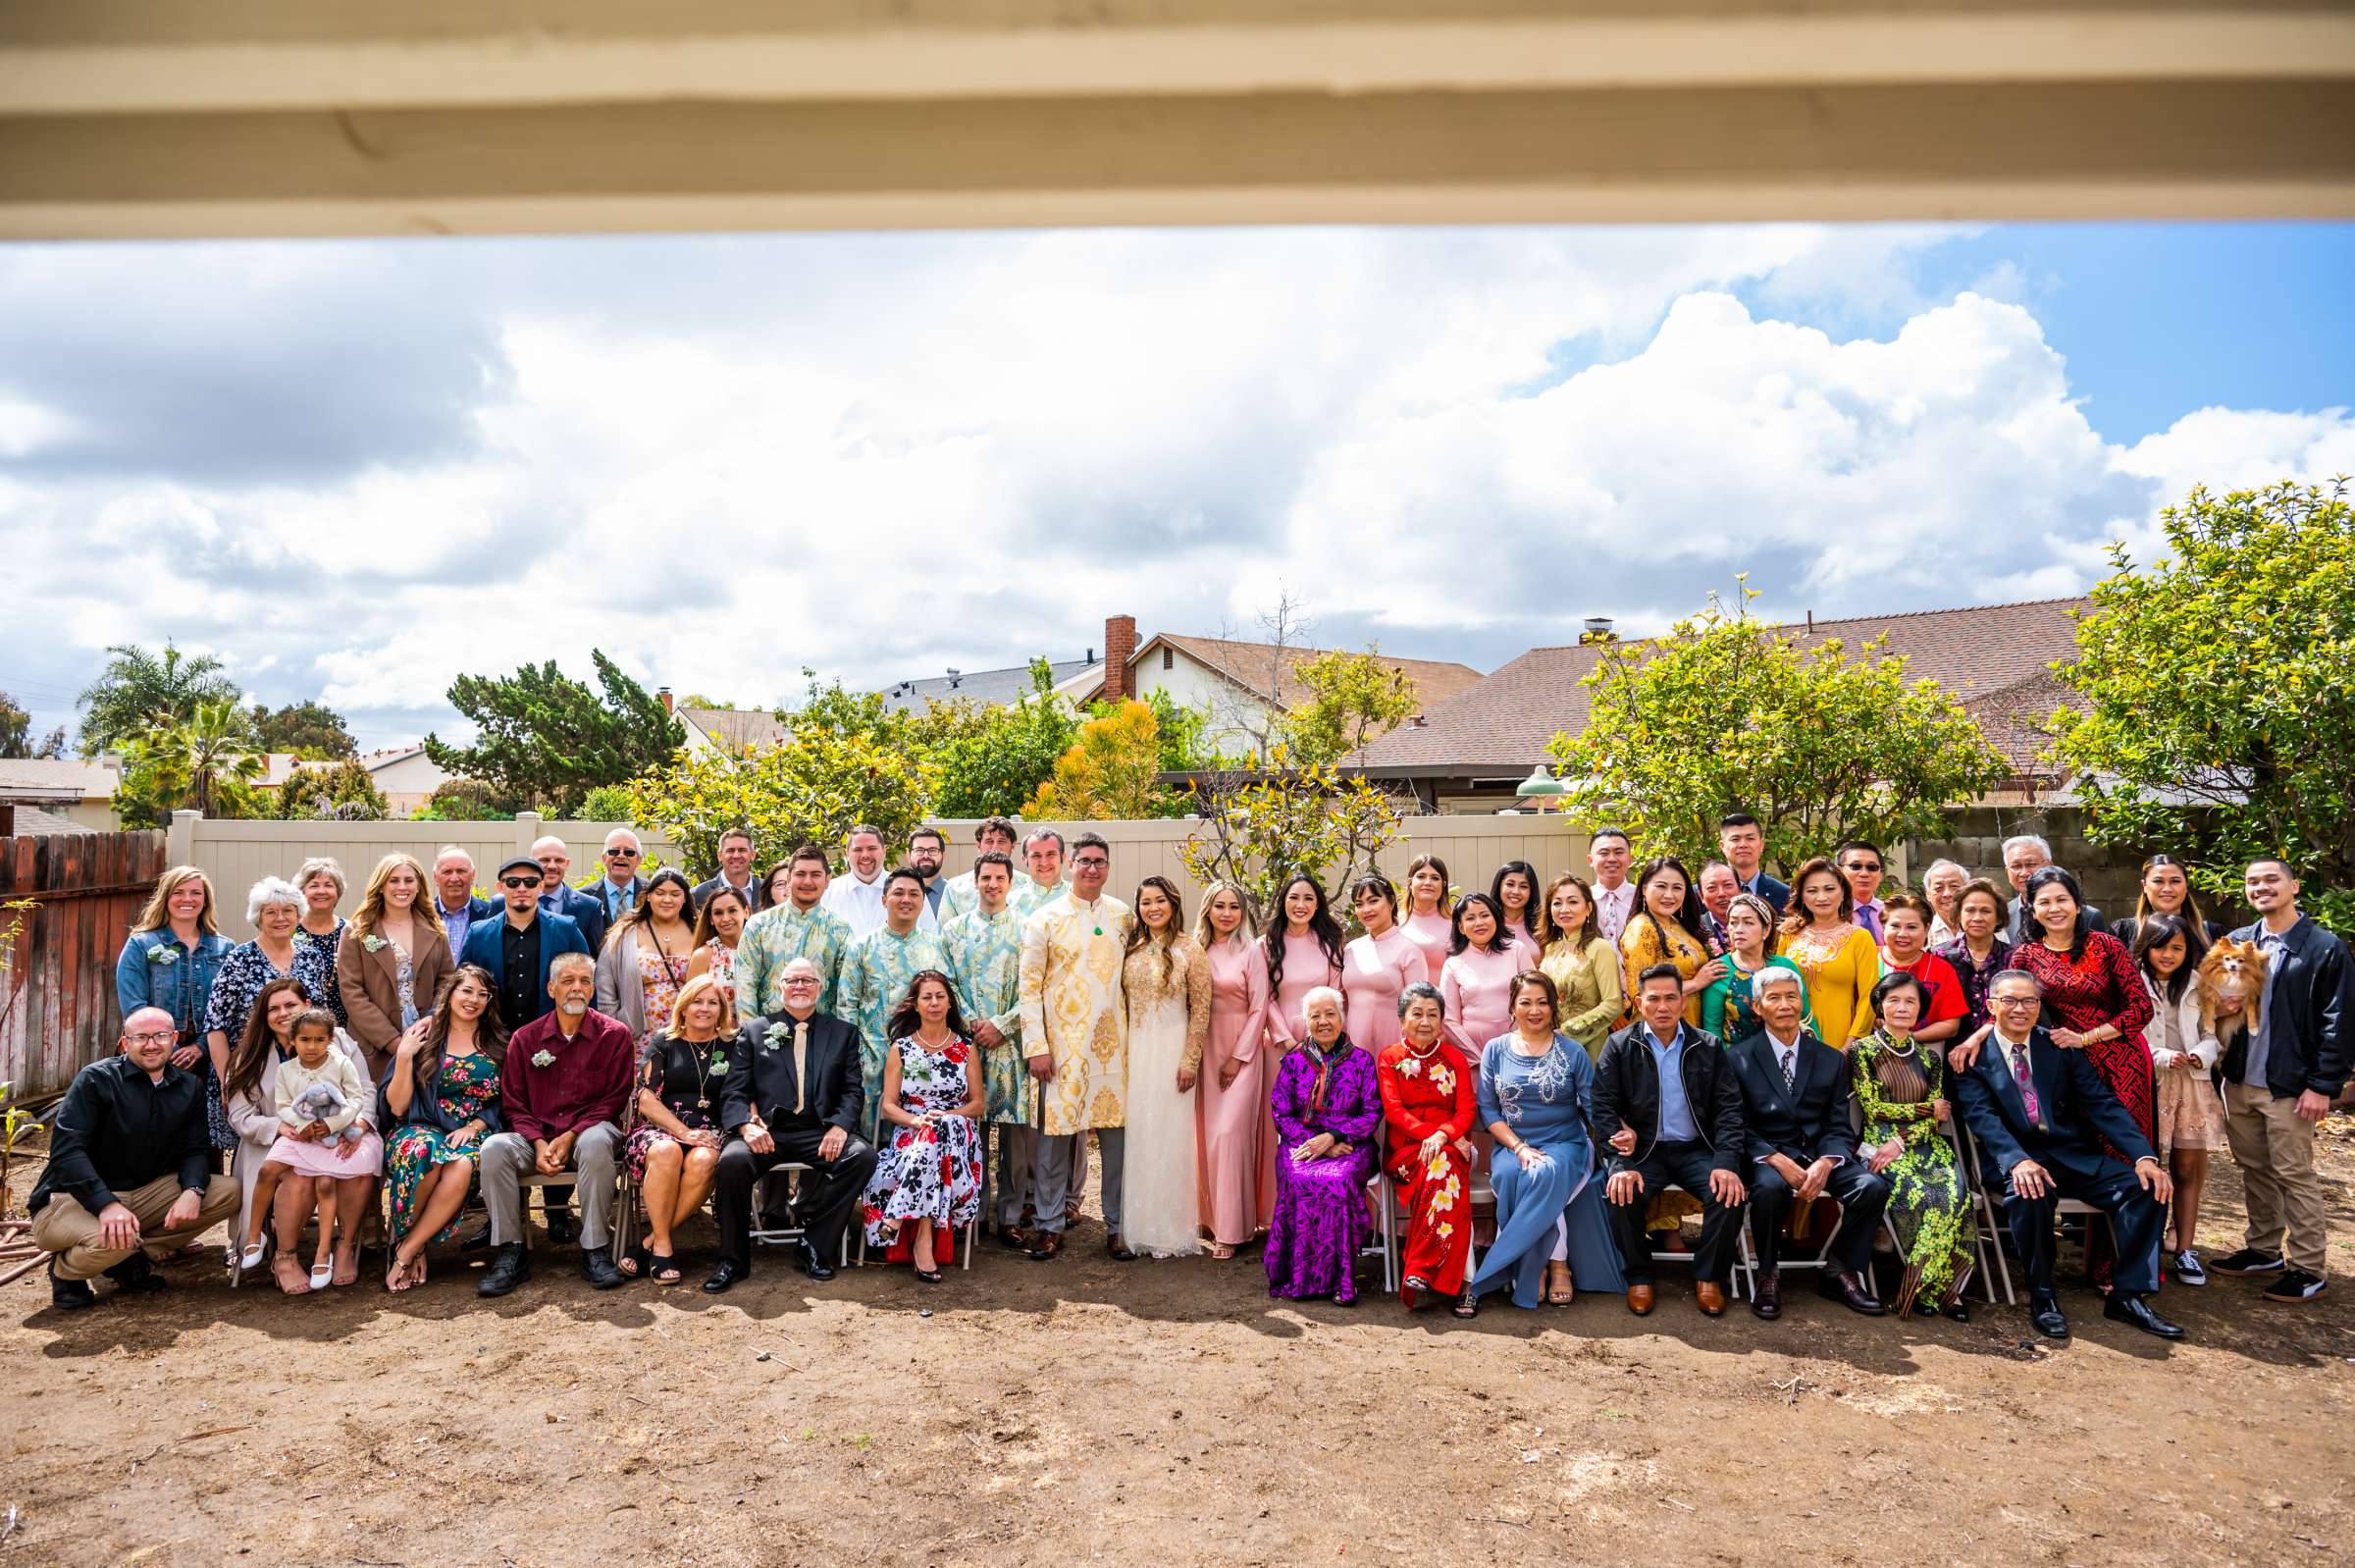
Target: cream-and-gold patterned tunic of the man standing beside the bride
{"x": 1070, "y": 990}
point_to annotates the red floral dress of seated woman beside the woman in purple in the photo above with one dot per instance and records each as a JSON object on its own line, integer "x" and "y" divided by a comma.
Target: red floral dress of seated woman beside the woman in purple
{"x": 1426, "y": 1096}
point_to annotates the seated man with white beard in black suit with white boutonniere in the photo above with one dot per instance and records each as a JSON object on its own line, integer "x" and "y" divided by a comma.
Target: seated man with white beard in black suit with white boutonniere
{"x": 792, "y": 1098}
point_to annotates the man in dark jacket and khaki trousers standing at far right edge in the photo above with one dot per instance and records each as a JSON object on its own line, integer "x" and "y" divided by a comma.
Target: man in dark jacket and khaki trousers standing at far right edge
{"x": 2281, "y": 1079}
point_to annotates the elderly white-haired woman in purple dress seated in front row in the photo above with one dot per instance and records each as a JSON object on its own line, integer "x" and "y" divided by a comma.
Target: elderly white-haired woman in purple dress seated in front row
{"x": 1327, "y": 1105}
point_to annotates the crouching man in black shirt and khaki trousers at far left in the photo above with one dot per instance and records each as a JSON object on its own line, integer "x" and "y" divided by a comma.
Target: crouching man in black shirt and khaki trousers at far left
{"x": 131, "y": 1169}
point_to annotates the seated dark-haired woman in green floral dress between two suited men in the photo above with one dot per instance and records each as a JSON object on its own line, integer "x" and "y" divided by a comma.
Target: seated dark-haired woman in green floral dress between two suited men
{"x": 1904, "y": 1096}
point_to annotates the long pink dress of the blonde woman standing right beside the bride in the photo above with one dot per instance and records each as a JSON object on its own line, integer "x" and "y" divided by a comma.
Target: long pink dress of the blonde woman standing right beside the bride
{"x": 1228, "y": 1143}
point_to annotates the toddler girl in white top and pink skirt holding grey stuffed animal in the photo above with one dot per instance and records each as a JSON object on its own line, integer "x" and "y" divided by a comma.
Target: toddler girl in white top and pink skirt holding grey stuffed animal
{"x": 326, "y": 1117}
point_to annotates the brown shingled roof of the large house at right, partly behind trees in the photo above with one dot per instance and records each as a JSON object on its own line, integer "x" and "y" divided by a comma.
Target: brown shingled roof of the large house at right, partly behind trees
{"x": 1994, "y": 658}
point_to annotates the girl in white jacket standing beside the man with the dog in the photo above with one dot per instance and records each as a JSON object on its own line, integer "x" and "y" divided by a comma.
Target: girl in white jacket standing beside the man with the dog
{"x": 2184, "y": 1049}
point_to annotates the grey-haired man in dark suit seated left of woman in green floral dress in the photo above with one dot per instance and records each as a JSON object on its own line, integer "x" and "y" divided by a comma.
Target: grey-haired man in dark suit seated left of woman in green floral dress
{"x": 1796, "y": 1115}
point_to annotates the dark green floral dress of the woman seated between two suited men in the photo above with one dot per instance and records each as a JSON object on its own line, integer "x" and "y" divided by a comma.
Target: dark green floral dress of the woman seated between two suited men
{"x": 1930, "y": 1207}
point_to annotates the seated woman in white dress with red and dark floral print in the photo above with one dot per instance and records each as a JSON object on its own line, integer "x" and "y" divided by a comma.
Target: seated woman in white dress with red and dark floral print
{"x": 929, "y": 1174}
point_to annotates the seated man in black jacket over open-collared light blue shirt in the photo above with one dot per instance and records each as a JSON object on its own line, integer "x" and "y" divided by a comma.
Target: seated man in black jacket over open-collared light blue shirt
{"x": 1669, "y": 1112}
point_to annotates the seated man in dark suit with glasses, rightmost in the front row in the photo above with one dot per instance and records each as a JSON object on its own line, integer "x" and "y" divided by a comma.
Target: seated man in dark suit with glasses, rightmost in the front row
{"x": 2041, "y": 1117}
